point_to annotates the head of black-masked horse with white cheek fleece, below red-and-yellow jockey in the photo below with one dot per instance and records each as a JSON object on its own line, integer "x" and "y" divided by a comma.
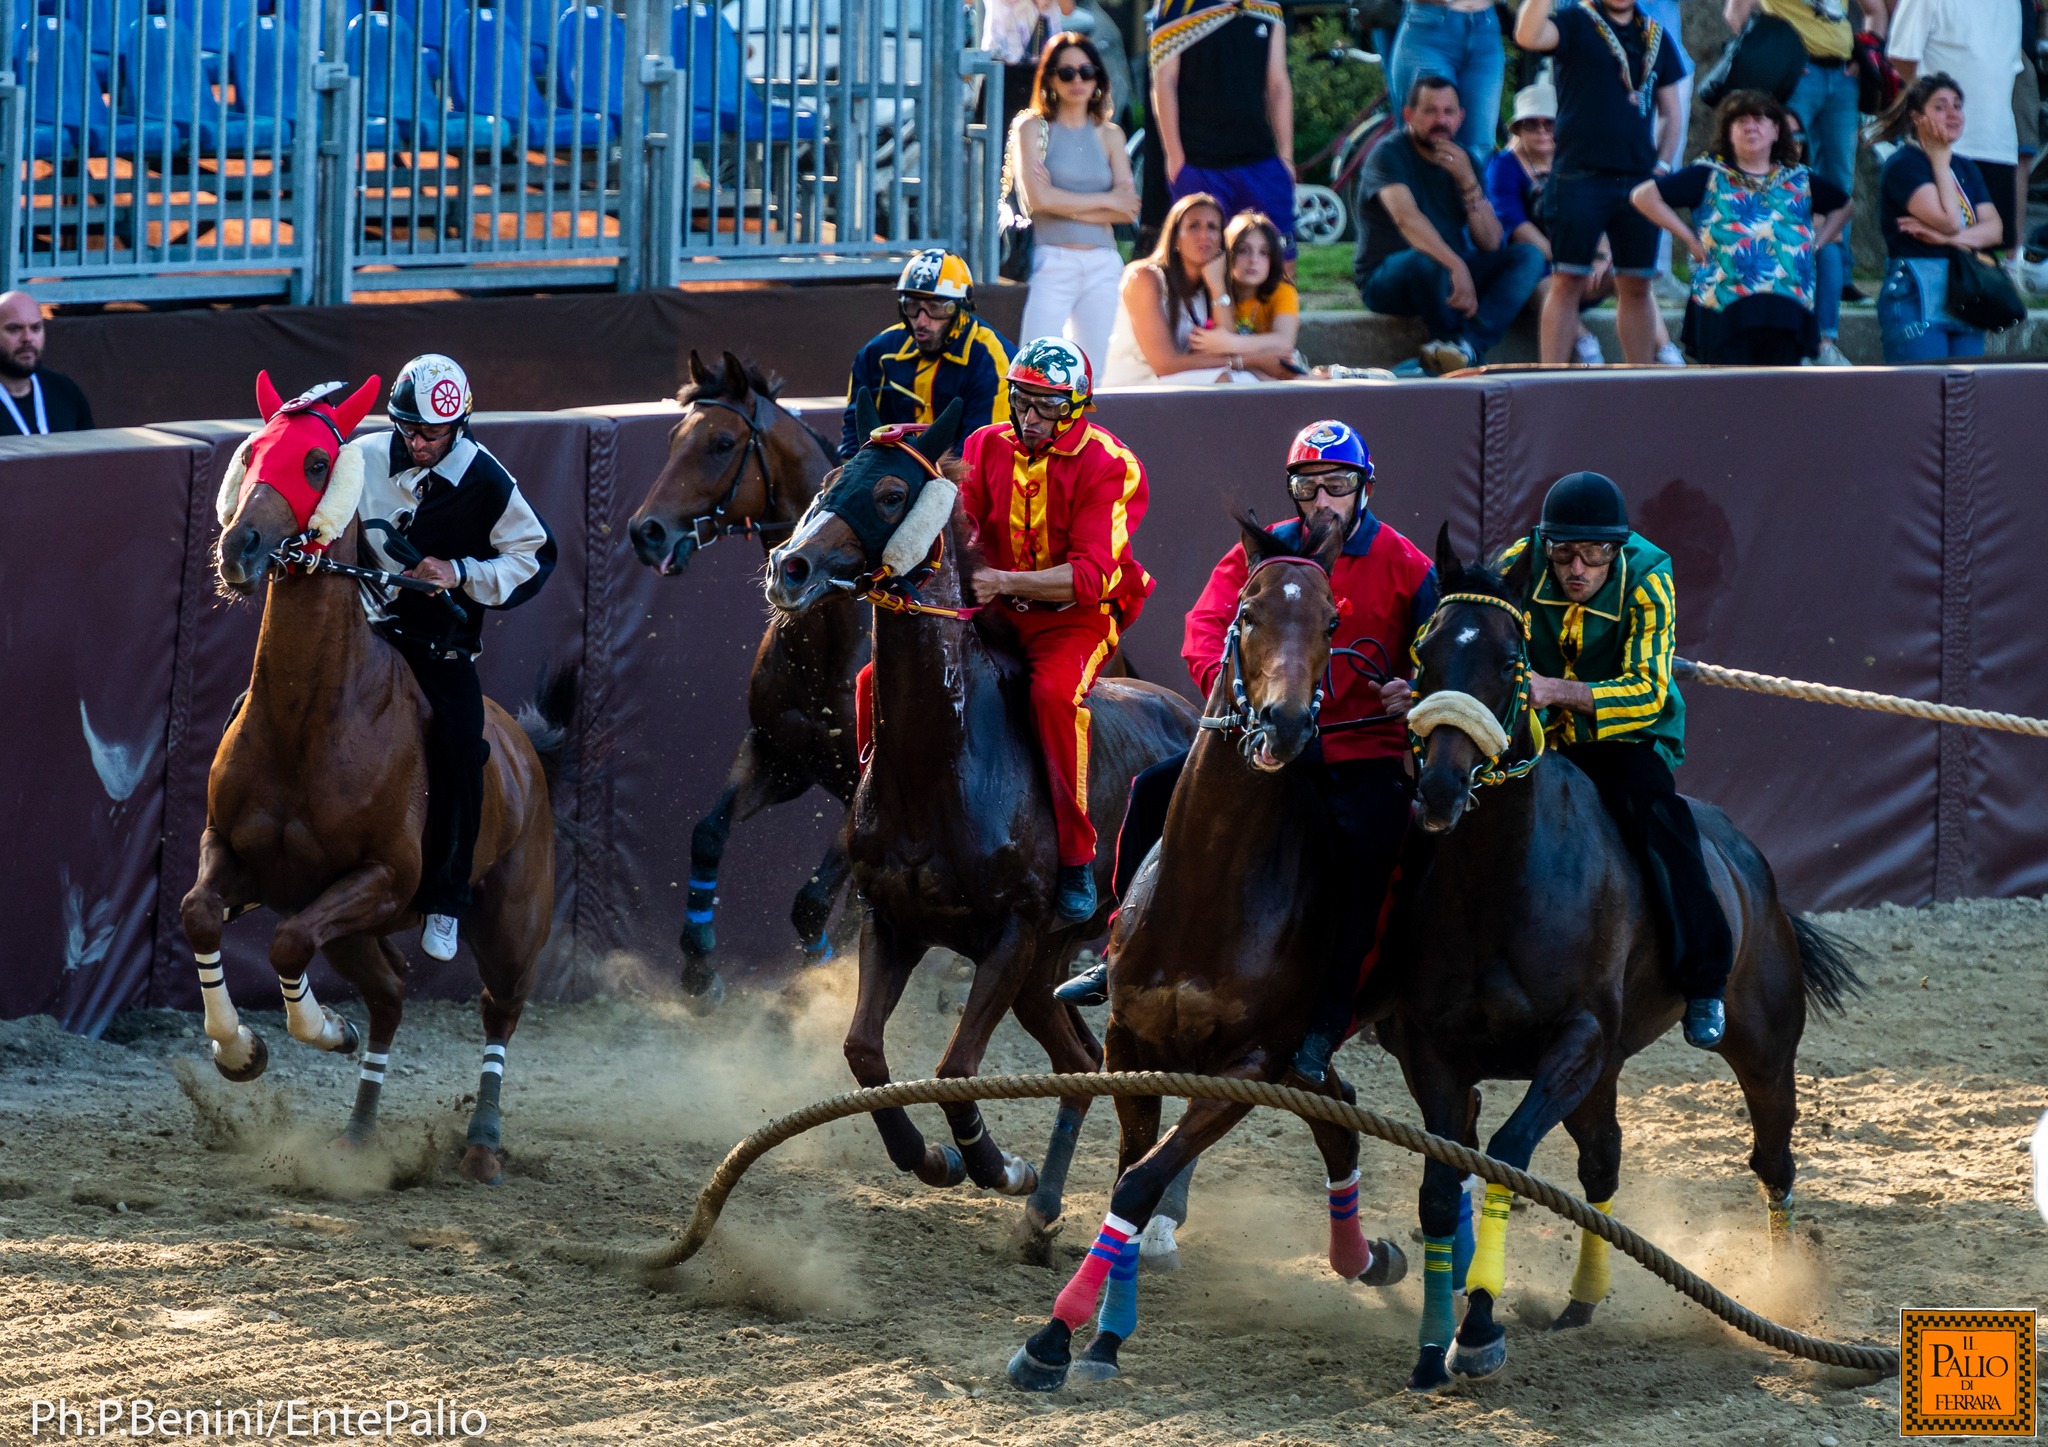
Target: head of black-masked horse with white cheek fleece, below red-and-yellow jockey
{"x": 884, "y": 511}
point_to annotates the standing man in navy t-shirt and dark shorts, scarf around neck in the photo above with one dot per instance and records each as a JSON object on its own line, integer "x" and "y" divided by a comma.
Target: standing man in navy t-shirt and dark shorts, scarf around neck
{"x": 1615, "y": 75}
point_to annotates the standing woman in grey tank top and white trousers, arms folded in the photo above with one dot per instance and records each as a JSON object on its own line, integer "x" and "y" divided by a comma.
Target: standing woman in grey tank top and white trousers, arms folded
{"x": 1070, "y": 165}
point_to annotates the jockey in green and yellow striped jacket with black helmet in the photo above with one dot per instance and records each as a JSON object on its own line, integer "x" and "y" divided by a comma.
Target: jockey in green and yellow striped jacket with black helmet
{"x": 1601, "y": 642}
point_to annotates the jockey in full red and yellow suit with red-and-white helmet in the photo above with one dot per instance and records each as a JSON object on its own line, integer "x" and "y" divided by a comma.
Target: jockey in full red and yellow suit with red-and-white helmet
{"x": 1058, "y": 500}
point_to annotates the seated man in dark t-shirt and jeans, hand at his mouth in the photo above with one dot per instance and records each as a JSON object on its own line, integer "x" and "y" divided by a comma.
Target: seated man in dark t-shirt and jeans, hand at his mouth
{"x": 1431, "y": 245}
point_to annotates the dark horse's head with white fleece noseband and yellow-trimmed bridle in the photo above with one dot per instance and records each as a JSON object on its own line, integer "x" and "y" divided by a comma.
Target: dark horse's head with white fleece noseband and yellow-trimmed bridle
{"x": 1471, "y": 681}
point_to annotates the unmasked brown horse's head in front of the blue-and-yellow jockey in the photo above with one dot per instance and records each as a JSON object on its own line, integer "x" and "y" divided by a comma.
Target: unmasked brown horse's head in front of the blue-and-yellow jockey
{"x": 718, "y": 466}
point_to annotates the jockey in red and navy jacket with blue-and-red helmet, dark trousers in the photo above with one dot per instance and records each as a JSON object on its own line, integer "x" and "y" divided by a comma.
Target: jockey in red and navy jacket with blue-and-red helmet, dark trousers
{"x": 1385, "y": 593}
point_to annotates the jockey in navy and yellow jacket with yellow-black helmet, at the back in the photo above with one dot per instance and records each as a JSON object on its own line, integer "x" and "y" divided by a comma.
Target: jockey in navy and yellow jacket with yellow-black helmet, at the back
{"x": 937, "y": 353}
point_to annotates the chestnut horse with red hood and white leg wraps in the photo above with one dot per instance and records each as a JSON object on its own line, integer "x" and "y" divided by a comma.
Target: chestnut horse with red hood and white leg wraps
{"x": 316, "y": 801}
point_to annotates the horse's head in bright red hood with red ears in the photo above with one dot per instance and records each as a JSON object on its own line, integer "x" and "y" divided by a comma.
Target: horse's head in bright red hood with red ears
{"x": 290, "y": 478}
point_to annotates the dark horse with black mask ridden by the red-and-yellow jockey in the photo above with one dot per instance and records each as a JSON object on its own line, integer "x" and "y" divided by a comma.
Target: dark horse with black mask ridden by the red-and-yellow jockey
{"x": 951, "y": 830}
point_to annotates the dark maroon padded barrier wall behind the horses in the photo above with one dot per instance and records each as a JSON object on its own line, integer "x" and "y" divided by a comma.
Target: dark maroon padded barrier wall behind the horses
{"x": 1865, "y": 529}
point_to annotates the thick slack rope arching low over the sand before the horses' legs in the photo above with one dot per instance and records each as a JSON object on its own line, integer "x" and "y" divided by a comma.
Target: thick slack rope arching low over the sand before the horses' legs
{"x": 1209, "y": 1088}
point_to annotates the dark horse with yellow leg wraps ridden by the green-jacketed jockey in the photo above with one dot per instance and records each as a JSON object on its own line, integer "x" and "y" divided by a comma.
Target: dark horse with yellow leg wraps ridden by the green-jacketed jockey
{"x": 1533, "y": 955}
